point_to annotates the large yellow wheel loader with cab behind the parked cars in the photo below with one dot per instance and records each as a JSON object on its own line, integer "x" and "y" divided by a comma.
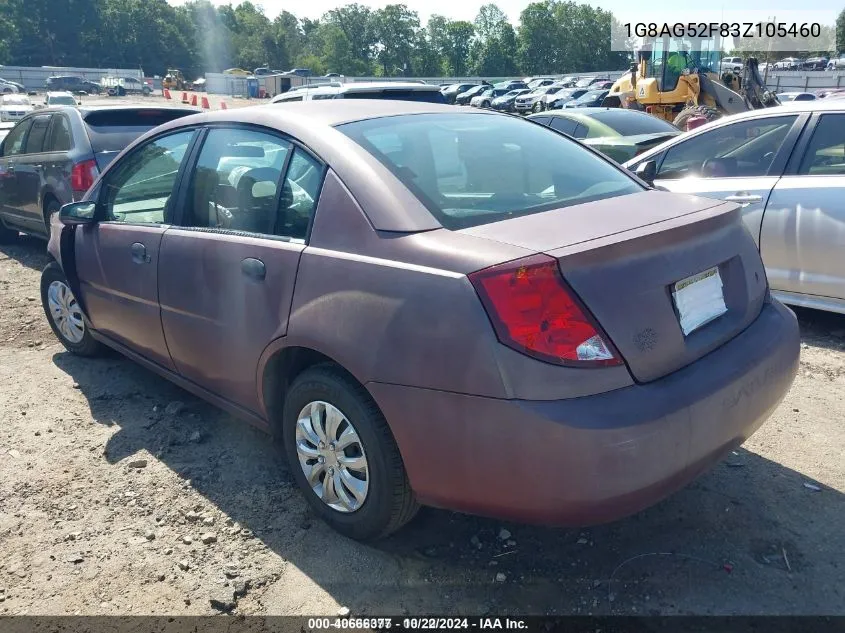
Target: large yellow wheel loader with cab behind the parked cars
{"x": 677, "y": 79}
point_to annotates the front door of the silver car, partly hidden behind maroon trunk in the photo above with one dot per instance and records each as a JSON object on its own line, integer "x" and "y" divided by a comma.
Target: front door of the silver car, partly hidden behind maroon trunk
{"x": 738, "y": 162}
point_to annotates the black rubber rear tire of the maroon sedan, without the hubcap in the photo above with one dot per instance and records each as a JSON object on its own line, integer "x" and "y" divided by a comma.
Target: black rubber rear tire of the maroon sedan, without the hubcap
{"x": 388, "y": 501}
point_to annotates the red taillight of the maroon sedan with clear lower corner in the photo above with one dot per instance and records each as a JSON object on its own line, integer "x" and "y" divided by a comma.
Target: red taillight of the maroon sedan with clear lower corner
{"x": 534, "y": 312}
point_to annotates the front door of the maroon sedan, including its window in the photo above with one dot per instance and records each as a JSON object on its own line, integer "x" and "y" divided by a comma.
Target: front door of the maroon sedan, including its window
{"x": 117, "y": 258}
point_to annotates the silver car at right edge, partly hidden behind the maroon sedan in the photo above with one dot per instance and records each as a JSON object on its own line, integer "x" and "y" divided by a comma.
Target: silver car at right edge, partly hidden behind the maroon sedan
{"x": 785, "y": 166}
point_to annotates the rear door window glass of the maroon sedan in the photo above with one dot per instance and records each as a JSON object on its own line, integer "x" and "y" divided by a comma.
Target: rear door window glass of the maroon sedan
{"x": 236, "y": 183}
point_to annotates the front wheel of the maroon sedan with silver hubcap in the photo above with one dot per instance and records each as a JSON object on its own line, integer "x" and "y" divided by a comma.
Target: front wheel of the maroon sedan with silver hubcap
{"x": 65, "y": 315}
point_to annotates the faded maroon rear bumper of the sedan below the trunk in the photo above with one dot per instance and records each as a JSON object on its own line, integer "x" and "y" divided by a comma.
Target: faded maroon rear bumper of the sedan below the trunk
{"x": 599, "y": 458}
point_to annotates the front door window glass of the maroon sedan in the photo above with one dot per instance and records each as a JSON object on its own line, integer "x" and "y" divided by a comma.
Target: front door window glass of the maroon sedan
{"x": 138, "y": 190}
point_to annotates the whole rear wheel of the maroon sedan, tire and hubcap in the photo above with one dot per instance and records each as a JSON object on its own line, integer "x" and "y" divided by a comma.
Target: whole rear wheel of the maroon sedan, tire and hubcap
{"x": 343, "y": 456}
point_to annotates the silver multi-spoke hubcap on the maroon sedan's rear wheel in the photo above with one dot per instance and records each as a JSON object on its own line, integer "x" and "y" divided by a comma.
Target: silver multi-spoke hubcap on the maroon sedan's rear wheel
{"x": 332, "y": 456}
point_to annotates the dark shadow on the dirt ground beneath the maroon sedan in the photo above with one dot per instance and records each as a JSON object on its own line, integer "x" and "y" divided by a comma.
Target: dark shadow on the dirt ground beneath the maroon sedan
{"x": 719, "y": 546}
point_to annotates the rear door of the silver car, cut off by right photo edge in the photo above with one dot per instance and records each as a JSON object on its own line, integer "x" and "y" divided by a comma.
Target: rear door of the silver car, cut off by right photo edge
{"x": 803, "y": 236}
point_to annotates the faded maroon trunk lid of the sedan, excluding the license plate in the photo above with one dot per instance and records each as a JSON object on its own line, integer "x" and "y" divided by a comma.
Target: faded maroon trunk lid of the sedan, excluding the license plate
{"x": 622, "y": 257}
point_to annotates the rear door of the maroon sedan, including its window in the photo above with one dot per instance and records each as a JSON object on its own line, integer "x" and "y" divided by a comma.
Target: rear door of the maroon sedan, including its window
{"x": 228, "y": 270}
